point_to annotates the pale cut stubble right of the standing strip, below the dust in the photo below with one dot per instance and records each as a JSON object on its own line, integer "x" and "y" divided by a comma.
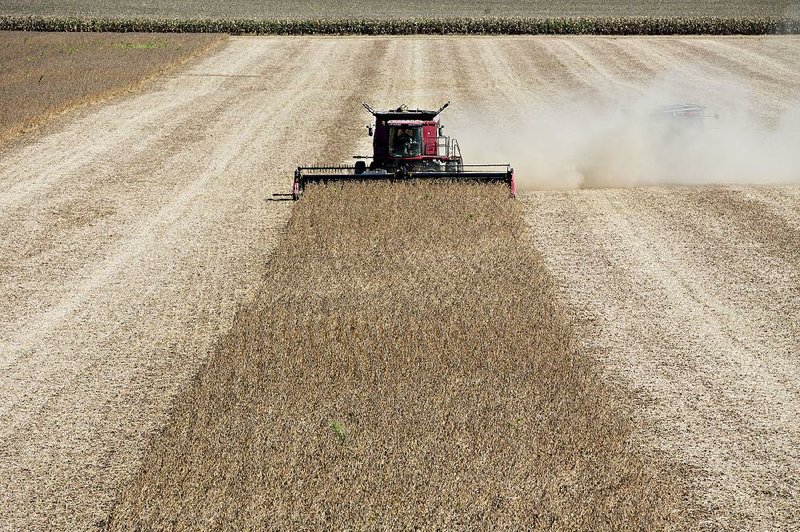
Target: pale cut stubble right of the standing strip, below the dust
{"x": 691, "y": 297}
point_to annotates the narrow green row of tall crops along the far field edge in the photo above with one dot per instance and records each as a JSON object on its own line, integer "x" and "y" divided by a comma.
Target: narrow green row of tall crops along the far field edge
{"x": 436, "y": 26}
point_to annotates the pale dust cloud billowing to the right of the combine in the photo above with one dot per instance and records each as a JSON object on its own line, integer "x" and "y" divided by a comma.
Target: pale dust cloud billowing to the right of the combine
{"x": 579, "y": 142}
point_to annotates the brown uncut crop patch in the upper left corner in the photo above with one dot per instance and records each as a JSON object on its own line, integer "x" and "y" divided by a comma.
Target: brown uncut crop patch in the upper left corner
{"x": 45, "y": 73}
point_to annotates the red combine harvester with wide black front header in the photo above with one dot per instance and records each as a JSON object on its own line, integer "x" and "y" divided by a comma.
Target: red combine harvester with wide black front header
{"x": 407, "y": 144}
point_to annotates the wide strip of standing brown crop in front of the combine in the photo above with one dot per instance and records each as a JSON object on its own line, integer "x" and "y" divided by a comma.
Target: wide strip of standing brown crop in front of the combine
{"x": 404, "y": 363}
